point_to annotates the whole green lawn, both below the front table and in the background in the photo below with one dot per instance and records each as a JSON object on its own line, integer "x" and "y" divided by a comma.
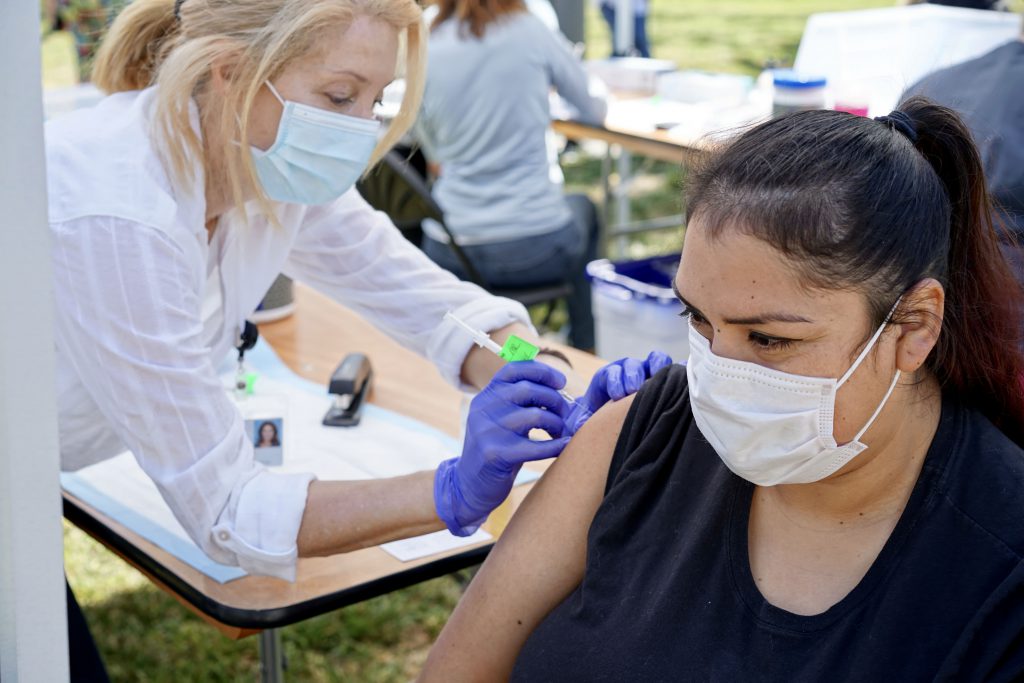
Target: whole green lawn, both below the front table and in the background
{"x": 147, "y": 636}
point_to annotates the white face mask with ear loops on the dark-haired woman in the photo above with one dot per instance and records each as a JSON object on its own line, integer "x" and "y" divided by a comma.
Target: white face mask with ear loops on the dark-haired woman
{"x": 769, "y": 426}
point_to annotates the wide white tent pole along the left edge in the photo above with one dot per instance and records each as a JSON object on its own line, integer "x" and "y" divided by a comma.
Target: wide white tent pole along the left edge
{"x": 33, "y": 614}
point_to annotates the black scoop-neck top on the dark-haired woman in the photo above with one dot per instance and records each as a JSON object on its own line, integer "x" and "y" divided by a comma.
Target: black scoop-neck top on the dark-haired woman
{"x": 668, "y": 593}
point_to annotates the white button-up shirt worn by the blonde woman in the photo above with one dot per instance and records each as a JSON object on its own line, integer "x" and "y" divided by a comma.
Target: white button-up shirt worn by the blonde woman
{"x": 139, "y": 340}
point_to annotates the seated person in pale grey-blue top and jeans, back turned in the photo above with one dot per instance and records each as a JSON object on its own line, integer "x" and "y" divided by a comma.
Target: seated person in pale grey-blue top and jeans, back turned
{"x": 485, "y": 121}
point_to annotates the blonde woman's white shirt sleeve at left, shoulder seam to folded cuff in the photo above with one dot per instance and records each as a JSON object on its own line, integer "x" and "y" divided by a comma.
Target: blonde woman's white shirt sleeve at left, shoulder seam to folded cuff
{"x": 129, "y": 323}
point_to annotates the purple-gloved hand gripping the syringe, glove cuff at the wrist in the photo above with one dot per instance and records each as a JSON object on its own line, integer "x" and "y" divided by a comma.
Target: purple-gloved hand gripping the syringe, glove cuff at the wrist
{"x": 521, "y": 398}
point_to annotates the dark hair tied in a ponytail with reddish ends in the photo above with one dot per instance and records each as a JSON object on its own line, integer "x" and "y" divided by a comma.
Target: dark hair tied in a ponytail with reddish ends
{"x": 878, "y": 207}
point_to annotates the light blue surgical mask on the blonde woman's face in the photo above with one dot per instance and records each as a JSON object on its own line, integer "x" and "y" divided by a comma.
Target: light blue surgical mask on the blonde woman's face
{"x": 318, "y": 155}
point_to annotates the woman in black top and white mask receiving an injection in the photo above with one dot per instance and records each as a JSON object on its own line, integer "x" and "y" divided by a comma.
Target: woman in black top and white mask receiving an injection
{"x": 833, "y": 488}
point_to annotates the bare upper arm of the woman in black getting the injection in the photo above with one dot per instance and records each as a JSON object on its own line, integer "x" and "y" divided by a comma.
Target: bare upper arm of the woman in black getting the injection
{"x": 539, "y": 561}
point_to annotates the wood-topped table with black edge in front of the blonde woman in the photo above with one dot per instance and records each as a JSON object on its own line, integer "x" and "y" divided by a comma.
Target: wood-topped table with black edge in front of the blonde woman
{"x": 312, "y": 343}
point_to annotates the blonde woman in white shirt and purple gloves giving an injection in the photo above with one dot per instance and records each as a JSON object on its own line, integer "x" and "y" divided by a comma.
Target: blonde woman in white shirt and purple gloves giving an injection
{"x": 225, "y": 155}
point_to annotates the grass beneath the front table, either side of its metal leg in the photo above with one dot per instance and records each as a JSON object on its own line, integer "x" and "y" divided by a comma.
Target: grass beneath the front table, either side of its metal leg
{"x": 145, "y": 635}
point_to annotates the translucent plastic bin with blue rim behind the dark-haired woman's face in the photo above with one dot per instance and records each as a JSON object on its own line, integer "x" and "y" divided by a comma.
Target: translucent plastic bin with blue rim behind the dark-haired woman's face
{"x": 635, "y": 310}
